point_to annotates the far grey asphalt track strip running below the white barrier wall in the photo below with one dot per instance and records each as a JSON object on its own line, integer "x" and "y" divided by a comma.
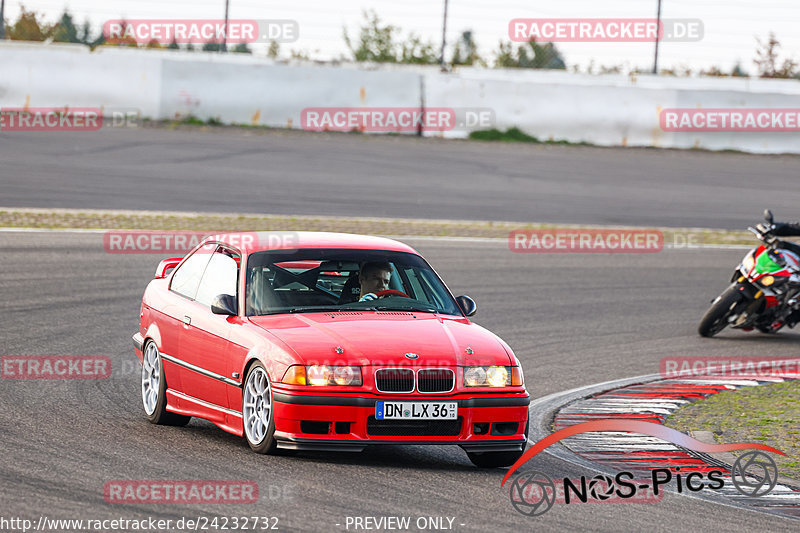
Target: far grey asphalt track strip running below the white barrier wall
{"x": 341, "y": 174}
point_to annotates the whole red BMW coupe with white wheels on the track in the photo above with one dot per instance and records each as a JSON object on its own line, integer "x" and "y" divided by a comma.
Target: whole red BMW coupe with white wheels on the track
{"x": 325, "y": 341}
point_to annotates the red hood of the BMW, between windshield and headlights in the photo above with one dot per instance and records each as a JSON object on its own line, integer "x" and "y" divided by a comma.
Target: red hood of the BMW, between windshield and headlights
{"x": 383, "y": 338}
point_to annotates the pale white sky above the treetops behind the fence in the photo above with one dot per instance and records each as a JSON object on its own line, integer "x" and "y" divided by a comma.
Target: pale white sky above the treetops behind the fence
{"x": 730, "y": 27}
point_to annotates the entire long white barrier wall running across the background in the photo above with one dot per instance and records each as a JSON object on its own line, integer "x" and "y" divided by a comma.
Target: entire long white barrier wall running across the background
{"x": 613, "y": 110}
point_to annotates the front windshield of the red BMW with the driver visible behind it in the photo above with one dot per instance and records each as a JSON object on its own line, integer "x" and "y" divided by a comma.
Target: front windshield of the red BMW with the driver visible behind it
{"x": 325, "y": 280}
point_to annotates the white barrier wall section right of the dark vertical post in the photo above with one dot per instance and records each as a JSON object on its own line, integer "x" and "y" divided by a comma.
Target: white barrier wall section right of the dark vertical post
{"x": 615, "y": 110}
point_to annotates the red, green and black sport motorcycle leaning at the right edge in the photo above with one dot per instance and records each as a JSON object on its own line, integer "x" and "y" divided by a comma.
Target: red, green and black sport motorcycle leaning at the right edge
{"x": 765, "y": 289}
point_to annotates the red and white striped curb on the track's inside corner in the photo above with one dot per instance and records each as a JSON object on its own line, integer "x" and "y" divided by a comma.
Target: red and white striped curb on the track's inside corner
{"x": 654, "y": 402}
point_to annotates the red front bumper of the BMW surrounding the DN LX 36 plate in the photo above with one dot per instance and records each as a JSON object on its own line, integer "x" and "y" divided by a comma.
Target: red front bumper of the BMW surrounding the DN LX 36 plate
{"x": 496, "y": 422}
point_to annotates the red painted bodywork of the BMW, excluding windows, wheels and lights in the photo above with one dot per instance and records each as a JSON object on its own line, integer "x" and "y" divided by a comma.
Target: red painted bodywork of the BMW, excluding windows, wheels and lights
{"x": 206, "y": 356}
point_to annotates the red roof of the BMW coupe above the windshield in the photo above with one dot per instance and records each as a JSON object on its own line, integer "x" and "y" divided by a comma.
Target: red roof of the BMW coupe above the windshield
{"x": 249, "y": 242}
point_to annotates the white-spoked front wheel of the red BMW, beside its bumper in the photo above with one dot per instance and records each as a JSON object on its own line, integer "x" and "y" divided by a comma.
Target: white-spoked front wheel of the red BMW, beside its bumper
{"x": 257, "y": 416}
